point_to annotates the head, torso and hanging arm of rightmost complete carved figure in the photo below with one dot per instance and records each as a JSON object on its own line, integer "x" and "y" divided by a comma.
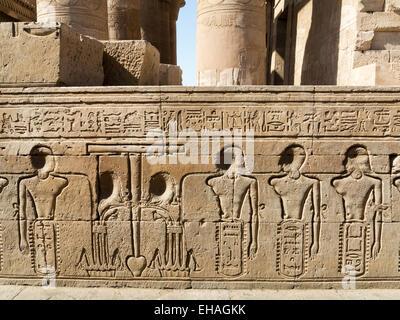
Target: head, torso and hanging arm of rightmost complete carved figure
{"x": 356, "y": 188}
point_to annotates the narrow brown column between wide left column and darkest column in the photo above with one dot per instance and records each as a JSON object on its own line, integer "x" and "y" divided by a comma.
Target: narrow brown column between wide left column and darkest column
{"x": 124, "y": 19}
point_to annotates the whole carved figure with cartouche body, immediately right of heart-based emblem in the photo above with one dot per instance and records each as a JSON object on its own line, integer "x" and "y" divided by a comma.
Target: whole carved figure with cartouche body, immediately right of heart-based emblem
{"x": 237, "y": 232}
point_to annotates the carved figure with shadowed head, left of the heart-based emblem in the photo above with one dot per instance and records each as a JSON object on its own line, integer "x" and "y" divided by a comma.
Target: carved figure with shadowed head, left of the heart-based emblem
{"x": 43, "y": 188}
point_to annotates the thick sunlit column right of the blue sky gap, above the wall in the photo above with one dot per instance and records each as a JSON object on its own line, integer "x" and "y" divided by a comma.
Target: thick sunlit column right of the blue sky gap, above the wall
{"x": 231, "y": 42}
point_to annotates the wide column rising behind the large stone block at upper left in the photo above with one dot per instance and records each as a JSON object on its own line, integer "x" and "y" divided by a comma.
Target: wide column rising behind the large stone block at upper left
{"x": 88, "y": 17}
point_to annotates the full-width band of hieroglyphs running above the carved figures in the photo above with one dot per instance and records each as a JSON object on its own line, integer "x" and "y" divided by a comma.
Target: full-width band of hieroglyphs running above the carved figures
{"x": 279, "y": 121}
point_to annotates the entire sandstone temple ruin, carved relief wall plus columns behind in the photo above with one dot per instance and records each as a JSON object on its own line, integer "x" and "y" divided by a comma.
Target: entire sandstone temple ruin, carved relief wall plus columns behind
{"x": 168, "y": 187}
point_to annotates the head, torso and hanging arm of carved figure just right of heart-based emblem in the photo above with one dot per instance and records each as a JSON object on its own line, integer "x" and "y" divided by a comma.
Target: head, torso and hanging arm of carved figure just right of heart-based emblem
{"x": 233, "y": 189}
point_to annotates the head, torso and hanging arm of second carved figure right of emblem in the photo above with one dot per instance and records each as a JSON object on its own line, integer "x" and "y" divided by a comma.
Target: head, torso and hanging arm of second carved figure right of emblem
{"x": 294, "y": 188}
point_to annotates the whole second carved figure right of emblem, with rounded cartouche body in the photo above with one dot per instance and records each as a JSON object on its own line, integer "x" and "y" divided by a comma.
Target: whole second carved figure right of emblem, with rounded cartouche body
{"x": 295, "y": 244}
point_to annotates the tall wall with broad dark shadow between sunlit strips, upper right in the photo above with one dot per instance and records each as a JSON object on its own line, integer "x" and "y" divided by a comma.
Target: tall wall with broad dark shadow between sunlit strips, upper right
{"x": 325, "y": 42}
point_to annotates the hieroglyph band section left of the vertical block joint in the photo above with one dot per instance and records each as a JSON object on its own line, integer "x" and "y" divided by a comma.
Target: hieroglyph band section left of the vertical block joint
{"x": 77, "y": 122}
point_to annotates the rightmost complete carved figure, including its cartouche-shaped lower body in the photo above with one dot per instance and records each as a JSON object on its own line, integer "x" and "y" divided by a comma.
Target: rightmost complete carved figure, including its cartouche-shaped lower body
{"x": 361, "y": 231}
